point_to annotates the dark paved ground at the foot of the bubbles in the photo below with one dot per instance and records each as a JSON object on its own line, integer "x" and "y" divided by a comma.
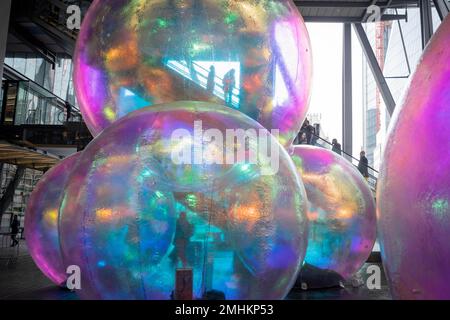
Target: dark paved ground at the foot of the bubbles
{"x": 24, "y": 281}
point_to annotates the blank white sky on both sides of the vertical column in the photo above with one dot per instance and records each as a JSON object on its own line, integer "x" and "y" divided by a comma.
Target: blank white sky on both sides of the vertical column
{"x": 326, "y": 98}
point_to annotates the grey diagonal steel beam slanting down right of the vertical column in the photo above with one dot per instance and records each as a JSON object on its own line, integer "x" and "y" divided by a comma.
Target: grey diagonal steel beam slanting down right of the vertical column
{"x": 375, "y": 68}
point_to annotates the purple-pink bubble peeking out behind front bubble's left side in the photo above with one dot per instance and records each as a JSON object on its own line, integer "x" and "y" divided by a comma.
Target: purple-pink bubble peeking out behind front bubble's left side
{"x": 41, "y": 220}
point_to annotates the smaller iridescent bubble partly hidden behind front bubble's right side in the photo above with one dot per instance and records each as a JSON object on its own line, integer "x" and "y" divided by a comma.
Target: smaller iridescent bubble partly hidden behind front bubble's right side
{"x": 341, "y": 213}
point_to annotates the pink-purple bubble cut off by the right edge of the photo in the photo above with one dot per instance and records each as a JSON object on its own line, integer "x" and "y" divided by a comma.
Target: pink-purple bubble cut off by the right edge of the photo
{"x": 414, "y": 187}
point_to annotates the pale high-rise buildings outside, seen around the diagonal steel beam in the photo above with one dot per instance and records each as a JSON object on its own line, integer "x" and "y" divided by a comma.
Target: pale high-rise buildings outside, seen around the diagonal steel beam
{"x": 398, "y": 62}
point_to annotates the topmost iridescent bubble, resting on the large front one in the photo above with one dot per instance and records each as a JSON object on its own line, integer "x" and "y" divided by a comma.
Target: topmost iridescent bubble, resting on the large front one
{"x": 132, "y": 54}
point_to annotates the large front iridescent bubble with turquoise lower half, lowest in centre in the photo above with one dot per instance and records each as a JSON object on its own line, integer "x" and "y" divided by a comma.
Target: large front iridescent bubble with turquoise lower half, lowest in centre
{"x": 244, "y": 231}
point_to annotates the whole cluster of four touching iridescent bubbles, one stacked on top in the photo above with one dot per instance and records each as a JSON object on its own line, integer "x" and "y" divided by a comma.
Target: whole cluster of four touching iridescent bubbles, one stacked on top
{"x": 147, "y": 198}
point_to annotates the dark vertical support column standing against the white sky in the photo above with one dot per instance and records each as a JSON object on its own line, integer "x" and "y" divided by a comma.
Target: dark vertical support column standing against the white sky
{"x": 347, "y": 91}
